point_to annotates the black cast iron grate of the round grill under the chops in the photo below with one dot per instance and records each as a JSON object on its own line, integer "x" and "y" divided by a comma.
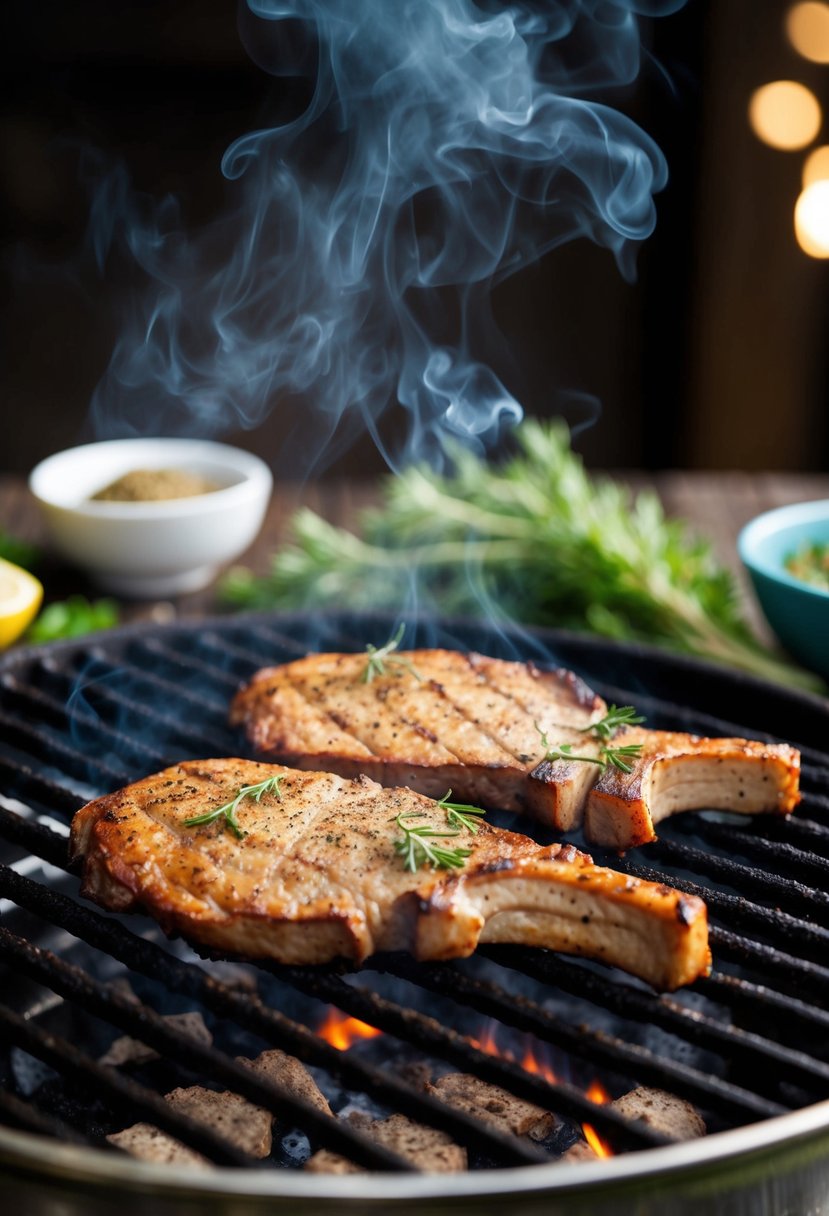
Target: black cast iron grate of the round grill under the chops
{"x": 745, "y": 1045}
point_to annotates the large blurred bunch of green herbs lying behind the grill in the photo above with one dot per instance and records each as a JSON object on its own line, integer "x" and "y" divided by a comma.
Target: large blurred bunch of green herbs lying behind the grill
{"x": 534, "y": 539}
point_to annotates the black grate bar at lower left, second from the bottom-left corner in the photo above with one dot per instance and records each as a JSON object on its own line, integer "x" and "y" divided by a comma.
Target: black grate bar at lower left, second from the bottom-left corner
{"x": 123, "y": 1094}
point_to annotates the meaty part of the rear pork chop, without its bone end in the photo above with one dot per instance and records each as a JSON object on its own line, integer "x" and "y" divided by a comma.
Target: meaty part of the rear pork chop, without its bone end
{"x": 470, "y": 723}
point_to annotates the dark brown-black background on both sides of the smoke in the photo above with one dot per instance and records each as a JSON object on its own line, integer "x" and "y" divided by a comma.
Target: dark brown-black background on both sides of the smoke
{"x": 715, "y": 358}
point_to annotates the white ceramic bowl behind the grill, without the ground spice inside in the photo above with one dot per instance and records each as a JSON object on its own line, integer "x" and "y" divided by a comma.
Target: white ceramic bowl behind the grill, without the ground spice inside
{"x": 145, "y": 550}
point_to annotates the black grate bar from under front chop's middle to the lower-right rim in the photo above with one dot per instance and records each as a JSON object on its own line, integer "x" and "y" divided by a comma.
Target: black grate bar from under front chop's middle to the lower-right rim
{"x": 607, "y": 1050}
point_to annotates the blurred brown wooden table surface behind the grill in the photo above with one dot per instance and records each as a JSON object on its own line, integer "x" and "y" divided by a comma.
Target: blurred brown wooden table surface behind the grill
{"x": 714, "y": 504}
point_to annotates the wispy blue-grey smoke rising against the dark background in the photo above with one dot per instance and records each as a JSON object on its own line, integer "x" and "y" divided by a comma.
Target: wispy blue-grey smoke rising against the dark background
{"x": 448, "y": 145}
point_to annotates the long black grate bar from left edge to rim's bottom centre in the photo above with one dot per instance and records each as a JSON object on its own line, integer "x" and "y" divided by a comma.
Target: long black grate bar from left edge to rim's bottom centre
{"x": 140, "y": 1022}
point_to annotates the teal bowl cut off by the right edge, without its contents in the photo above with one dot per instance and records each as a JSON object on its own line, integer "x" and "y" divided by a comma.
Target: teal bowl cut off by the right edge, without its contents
{"x": 797, "y": 612}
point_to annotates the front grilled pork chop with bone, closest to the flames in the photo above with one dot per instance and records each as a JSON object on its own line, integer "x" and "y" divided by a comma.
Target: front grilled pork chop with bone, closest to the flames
{"x": 317, "y": 876}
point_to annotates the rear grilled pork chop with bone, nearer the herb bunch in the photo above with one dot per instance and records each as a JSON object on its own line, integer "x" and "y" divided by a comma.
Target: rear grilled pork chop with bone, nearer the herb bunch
{"x": 438, "y": 720}
